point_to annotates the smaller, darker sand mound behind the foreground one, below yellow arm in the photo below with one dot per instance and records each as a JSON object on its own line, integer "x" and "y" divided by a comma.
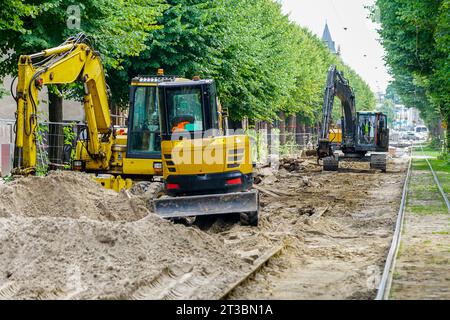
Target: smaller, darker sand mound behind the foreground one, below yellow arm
{"x": 67, "y": 194}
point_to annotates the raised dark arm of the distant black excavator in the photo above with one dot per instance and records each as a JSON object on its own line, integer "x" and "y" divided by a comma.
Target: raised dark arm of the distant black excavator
{"x": 338, "y": 86}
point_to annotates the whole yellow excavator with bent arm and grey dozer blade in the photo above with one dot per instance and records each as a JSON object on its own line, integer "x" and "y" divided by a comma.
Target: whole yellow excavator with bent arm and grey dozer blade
{"x": 175, "y": 130}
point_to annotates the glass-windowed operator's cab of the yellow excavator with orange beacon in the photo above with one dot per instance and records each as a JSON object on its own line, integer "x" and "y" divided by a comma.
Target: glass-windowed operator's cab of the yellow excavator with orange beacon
{"x": 156, "y": 112}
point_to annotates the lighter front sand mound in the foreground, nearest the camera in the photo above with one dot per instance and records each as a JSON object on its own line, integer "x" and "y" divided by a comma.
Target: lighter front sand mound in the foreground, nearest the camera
{"x": 62, "y": 258}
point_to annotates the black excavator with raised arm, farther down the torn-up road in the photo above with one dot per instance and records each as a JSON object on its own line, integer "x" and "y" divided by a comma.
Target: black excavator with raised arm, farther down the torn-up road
{"x": 363, "y": 136}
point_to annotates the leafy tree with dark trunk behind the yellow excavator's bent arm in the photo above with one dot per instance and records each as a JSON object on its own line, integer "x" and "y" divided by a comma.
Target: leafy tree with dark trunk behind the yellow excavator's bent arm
{"x": 118, "y": 29}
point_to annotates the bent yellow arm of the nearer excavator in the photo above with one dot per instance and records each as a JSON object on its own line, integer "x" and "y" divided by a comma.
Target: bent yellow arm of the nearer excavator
{"x": 74, "y": 60}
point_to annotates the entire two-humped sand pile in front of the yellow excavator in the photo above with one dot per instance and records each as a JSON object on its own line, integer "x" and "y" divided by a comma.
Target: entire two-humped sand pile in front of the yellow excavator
{"x": 63, "y": 236}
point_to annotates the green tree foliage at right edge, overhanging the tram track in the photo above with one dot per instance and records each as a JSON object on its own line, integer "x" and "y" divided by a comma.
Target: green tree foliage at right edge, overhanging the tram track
{"x": 416, "y": 36}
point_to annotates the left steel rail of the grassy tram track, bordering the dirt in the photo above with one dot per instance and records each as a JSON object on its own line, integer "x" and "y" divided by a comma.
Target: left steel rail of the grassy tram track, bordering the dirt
{"x": 386, "y": 278}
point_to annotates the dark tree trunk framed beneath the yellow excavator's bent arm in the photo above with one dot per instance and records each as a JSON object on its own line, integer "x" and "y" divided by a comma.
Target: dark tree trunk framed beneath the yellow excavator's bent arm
{"x": 56, "y": 133}
